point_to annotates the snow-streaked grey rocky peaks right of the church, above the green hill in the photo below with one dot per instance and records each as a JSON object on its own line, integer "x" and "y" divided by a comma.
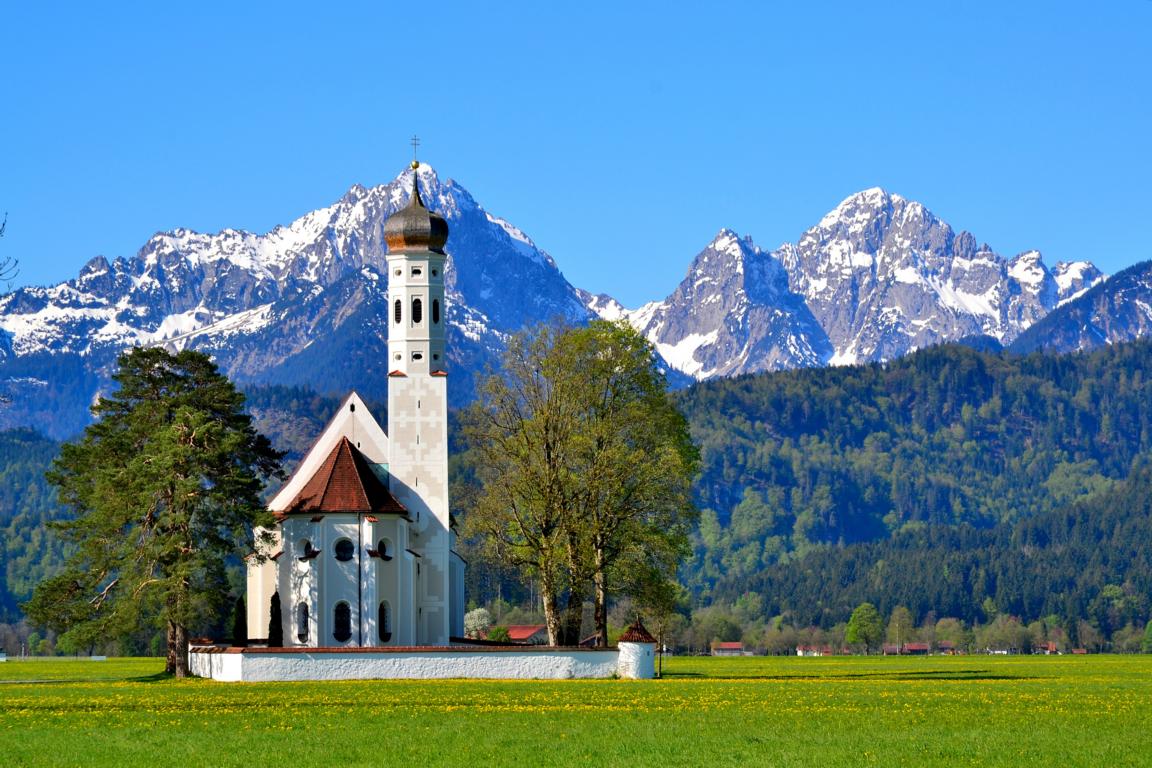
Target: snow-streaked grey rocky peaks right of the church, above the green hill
{"x": 877, "y": 278}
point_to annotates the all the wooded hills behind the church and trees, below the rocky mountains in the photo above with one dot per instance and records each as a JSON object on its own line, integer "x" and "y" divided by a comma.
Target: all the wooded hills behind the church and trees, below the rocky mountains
{"x": 962, "y": 484}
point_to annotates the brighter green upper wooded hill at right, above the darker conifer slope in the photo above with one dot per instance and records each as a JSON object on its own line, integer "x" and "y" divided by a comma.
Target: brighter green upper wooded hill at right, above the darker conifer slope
{"x": 804, "y": 460}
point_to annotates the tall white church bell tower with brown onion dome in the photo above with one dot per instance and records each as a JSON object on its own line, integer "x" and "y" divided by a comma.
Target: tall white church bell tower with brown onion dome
{"x": 419, "y": 402}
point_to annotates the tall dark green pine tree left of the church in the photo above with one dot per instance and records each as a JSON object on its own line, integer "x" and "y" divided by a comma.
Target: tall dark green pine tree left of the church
{"x": 165, "y": 486}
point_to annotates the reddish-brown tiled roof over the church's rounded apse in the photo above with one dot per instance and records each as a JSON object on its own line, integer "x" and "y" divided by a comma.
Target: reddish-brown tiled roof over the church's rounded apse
{"x": 345, "y": 483}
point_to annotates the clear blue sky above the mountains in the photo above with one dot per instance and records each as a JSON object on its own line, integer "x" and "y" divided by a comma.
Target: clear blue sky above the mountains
{"x": 620, "y": 139}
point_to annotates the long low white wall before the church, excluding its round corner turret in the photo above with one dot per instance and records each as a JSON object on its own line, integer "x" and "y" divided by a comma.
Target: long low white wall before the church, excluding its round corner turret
{"x": 541, "y": 665}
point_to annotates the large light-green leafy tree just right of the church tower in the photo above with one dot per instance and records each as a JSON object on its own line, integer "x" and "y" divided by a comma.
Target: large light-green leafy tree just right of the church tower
{"x": 585, "y": 469}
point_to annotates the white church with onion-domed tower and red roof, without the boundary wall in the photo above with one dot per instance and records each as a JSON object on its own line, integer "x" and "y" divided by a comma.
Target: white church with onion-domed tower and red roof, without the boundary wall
{"x": 365, "y": 553}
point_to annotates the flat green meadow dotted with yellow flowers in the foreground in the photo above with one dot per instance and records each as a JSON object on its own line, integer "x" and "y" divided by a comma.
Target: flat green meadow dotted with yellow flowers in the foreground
{"x": 965, "y": 711}
